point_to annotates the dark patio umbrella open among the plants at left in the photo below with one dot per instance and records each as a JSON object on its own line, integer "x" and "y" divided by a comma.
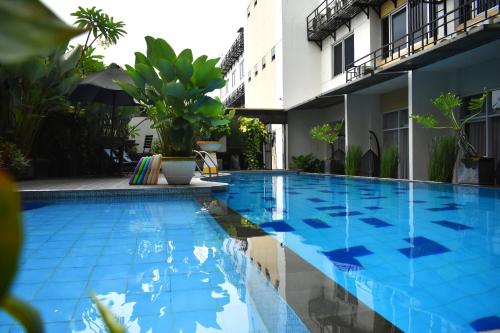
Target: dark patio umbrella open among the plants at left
{"x": 100, "y": 87}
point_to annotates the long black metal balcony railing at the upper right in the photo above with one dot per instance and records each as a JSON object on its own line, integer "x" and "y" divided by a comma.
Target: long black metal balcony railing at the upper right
{"x": 445, "y": 25}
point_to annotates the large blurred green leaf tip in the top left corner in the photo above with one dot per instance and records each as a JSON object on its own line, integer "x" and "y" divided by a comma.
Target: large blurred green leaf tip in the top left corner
{"x": 28, "y": 28}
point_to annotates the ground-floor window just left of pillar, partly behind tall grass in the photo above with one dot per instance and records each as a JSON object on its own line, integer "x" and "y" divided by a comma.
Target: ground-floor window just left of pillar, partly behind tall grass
{"x": 396, "y": 134}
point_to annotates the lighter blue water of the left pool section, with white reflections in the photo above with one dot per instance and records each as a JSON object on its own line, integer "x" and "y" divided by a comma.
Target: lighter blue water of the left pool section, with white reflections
{"x": 160, "y": 265}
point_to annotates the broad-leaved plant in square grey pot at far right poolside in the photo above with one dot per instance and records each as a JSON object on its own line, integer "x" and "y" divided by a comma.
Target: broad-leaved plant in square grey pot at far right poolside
{"x": 469, "y": 167}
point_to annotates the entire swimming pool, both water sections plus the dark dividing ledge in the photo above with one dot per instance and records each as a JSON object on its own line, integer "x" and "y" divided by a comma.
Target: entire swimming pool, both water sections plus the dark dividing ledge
{"x": 276, "y": 253}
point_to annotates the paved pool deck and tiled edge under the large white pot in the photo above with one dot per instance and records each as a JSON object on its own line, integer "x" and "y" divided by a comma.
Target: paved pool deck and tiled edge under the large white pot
{"x": 116, "y": 186}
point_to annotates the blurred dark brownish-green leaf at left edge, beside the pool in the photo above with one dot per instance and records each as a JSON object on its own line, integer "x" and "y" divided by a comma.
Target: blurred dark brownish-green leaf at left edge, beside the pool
{"x": 10, "y": 232}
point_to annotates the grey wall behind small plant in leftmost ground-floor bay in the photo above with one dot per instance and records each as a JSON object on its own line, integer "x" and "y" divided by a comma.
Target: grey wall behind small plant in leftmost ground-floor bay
{"x": 299, "y": 124}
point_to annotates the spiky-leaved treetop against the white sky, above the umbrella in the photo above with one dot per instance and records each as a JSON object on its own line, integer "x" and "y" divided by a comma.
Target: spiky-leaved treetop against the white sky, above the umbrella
{"x": 100, "y": 26}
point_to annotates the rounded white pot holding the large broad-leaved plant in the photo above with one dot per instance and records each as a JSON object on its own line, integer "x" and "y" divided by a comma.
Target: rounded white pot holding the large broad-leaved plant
{"x": 178, "y": 170}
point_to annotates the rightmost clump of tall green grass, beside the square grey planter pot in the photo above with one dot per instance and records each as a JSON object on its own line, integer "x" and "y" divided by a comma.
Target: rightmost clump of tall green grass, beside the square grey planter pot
{"x": 443, "y": 152}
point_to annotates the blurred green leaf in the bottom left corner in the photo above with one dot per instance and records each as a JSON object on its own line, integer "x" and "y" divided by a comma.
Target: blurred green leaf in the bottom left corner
{"x": 26, "y": 315}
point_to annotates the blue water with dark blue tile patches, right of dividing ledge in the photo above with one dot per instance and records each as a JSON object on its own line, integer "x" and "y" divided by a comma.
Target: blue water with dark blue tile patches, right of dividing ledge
{"x": 426, "y": 257}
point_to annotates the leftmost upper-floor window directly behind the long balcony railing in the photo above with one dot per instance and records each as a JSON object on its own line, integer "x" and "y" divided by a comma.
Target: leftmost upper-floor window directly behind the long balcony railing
{"x": 394, "y": 30}
